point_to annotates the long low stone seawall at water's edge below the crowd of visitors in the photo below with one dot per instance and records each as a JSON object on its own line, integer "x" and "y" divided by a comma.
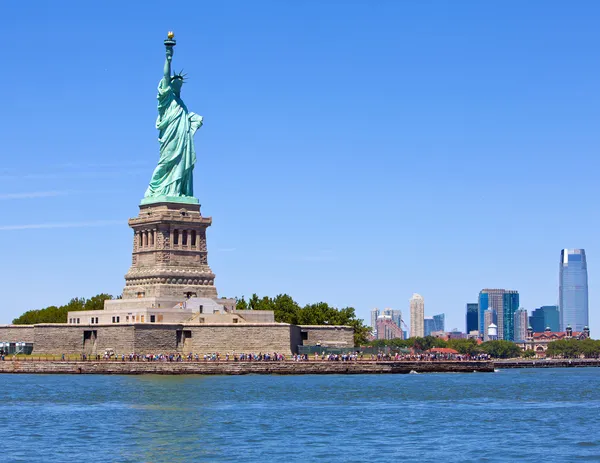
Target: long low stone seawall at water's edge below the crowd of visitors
{"x": 239, "y": 368}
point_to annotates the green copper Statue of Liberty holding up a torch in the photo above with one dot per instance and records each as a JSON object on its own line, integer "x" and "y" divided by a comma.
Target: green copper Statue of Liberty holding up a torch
{"x": 172, "y": 180}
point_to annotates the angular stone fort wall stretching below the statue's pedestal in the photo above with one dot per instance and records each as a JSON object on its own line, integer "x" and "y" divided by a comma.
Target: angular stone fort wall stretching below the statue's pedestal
{"x": 153, "y": 338}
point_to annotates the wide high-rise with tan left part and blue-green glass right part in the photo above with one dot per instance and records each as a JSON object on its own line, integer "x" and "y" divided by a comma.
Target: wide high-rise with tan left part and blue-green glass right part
{"x": 505, "y": 302}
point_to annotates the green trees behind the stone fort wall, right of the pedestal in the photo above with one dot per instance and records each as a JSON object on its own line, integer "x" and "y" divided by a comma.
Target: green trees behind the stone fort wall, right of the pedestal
{"x": 289, "y": 311}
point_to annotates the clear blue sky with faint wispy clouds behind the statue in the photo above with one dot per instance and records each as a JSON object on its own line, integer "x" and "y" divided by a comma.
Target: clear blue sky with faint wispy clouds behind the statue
{"x": 353, "y": 152}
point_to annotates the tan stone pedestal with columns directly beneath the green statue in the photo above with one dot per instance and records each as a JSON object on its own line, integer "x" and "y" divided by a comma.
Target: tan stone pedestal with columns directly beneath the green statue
{"x": 170, "y": 258}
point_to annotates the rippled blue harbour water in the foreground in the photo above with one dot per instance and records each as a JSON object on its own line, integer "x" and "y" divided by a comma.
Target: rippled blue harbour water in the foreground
{"x": 512, "y": 415}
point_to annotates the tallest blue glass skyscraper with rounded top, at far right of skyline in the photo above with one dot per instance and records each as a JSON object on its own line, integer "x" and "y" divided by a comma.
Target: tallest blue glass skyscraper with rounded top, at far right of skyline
{"x": 573, "y": 289}
